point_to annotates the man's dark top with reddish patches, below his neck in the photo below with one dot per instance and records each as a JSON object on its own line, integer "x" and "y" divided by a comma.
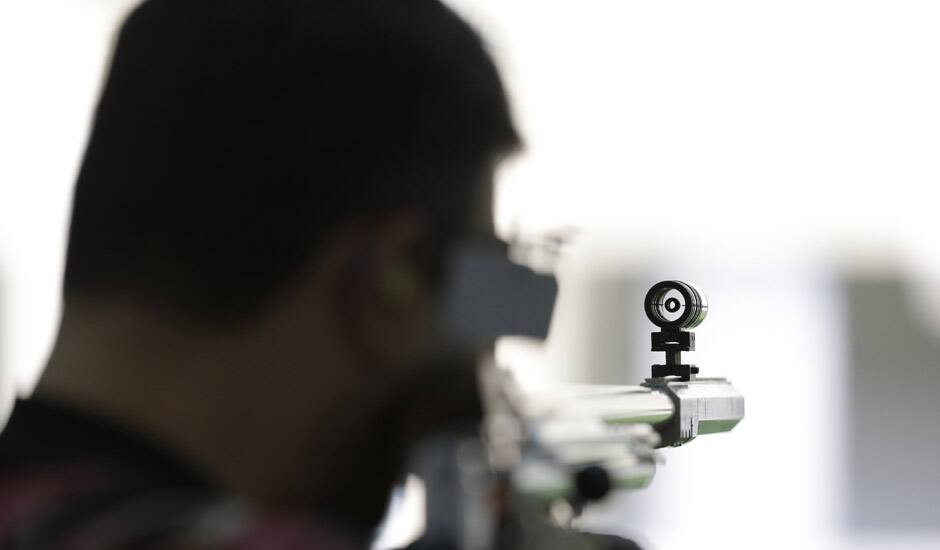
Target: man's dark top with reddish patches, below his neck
{"x": 70, "y": 480}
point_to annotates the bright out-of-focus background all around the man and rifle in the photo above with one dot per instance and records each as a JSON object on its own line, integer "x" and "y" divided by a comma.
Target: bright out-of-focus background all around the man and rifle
{"x": 783, "y": 156}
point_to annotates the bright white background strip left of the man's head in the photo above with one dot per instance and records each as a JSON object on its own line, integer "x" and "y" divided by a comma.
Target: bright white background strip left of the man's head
{"x": 52, "y": 53}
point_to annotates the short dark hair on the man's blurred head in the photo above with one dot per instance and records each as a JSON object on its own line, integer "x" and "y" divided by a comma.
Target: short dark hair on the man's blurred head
{"x": 232, "y": 136}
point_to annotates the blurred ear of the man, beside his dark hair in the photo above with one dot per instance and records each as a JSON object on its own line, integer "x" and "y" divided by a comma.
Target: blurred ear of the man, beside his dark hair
{"x": 394, "y": 298}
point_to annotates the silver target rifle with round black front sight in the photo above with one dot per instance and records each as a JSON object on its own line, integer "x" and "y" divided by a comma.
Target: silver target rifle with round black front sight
{"x": 545, "y": 451}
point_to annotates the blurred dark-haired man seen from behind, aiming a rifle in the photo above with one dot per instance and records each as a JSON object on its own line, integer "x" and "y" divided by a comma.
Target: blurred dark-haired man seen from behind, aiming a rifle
{"x": 260, "y": 232}
